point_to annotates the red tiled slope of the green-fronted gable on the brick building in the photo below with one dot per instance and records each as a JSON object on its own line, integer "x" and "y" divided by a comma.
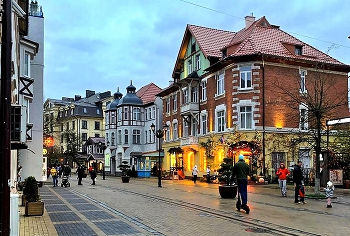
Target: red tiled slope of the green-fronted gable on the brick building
{"x": 210, "y": 41}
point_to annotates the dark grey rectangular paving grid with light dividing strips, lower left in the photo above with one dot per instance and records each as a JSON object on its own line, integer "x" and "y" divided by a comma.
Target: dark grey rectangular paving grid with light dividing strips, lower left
{"x": 73, "y": 215}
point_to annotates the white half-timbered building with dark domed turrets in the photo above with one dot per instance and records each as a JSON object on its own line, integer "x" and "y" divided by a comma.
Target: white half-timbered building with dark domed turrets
{"x": 128, "y": 129}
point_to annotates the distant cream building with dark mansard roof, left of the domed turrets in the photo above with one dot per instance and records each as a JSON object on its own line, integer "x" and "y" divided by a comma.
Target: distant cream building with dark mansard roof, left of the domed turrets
{"x": 71, "y": 121}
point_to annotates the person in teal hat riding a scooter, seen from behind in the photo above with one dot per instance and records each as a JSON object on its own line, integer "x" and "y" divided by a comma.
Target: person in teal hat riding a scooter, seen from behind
{"x": 241, "y": 171}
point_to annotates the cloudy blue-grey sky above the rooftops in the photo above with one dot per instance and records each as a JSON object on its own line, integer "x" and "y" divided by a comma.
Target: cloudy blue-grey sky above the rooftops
{"x": 101, "y": 45}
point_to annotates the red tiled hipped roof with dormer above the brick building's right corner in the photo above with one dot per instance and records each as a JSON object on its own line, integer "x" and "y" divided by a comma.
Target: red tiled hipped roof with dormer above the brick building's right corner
{"x": 263, "y": 38}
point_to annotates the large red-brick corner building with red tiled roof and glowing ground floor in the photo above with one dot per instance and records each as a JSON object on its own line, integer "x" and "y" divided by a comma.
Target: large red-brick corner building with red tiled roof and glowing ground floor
{"x": 247, "y": 93}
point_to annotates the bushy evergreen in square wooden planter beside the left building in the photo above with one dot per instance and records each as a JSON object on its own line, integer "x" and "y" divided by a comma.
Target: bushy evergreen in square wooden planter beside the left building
{"x": 33, "y": 205}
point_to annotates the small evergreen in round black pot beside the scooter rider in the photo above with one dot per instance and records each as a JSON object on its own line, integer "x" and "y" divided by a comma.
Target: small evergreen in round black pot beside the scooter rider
{"x": 227, "y": 188}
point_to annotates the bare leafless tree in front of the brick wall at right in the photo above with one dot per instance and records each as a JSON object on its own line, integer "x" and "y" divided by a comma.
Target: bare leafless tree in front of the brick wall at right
{"x": 319, "y": 95}
